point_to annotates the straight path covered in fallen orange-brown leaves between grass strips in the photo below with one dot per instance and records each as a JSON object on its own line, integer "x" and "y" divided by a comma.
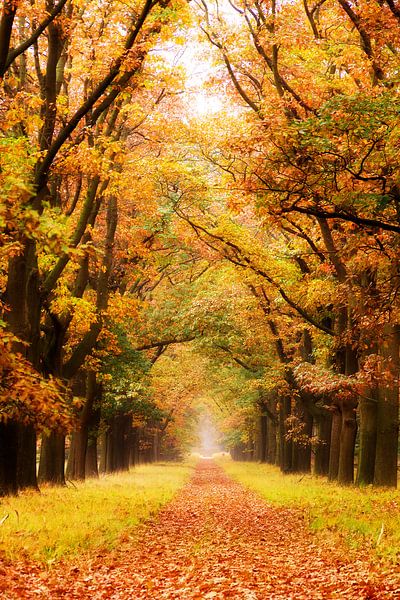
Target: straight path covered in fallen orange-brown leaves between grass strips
{"x": 214, "y": 540}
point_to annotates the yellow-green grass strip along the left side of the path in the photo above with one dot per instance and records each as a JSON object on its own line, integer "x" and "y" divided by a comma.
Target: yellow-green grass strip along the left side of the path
{"x": 63, "y": 522}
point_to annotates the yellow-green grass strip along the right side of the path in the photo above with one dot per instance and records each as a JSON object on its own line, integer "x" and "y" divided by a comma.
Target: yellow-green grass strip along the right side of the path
{"x": 365, "y": 518}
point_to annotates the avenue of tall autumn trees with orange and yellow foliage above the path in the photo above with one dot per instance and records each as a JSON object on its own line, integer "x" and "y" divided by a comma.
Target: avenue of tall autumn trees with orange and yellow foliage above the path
{"x": 158, "y": 261}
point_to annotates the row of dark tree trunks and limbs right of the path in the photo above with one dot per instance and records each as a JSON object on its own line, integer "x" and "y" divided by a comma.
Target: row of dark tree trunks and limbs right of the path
{"x": 334, "y": 420}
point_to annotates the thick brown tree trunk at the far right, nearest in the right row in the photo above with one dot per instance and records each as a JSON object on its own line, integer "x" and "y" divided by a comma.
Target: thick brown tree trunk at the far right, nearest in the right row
{"x": 388, "y": 412}
